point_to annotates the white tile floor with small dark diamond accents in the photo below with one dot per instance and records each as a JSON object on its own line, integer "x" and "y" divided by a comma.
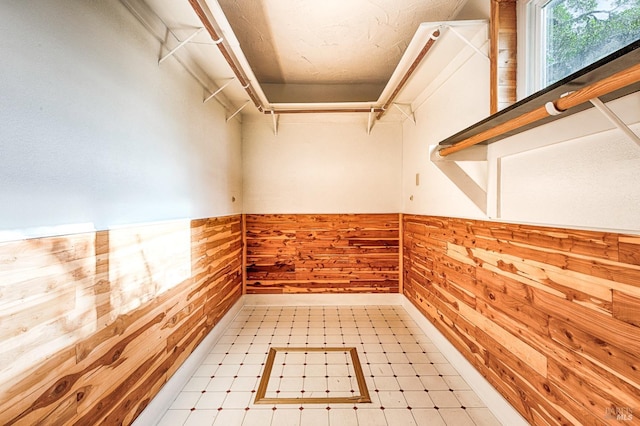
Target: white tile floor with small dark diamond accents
{"x": 409, "y": 381}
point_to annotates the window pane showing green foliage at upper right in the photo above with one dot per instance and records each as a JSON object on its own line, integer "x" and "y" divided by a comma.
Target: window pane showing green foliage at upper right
{"x": 579, "y": 32}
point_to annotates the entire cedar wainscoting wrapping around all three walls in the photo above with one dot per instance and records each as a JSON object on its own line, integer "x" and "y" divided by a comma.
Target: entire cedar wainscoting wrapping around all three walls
{"x": 94, "y": 324}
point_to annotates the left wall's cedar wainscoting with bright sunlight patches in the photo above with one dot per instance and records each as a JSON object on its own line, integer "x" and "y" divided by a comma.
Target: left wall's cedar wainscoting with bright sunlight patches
{"x": 92, "y": 325}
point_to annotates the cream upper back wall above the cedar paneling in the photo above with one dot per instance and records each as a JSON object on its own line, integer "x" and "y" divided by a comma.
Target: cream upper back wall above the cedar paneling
{"x": 321, "y": 163}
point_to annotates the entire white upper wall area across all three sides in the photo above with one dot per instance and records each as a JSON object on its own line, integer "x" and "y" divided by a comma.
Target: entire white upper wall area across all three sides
{"x": 94, "y": 133}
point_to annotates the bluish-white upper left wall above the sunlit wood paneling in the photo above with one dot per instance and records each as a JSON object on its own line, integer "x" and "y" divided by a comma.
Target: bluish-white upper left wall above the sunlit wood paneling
{"x": 95, "y": 132}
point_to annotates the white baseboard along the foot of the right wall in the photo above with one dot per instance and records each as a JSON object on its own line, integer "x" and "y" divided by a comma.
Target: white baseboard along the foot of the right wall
{"x": 498, "y": 405}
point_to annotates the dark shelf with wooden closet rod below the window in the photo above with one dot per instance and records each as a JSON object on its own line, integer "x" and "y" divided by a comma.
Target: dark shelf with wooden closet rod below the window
{"x": 620, "y": 60}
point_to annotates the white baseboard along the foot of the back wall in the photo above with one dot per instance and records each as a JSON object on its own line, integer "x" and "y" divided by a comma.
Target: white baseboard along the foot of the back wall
{"x": 312, "y": 299}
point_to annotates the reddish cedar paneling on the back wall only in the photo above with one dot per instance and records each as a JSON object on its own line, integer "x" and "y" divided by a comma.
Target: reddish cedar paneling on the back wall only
{"x": 322, "y": 253}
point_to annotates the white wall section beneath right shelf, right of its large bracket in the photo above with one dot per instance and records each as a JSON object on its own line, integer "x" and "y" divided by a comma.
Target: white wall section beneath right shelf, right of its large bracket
{"x": 579, "y": 171}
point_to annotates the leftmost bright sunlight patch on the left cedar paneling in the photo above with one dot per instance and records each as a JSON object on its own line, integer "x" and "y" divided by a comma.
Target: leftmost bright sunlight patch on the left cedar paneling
{"x": 47, "y": 302}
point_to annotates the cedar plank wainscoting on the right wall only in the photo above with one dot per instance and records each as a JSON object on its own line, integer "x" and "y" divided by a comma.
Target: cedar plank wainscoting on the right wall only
{"x": 551, "y": 317}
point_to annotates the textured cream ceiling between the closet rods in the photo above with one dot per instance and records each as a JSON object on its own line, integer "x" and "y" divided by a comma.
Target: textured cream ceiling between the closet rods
{"x": 329, "y": 42}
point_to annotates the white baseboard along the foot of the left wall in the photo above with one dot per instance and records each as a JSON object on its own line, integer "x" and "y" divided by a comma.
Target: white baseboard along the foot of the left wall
{"x": 159, "y": 405}
